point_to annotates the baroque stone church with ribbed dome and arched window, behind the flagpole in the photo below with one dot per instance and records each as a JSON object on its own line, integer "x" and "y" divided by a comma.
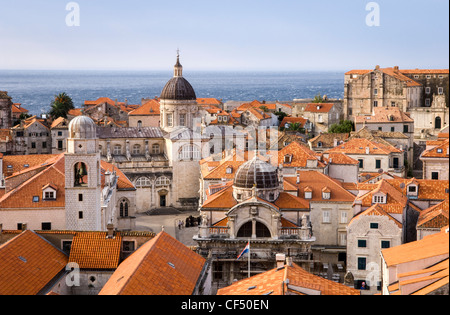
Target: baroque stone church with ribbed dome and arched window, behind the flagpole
{"x": 253, "y": 209}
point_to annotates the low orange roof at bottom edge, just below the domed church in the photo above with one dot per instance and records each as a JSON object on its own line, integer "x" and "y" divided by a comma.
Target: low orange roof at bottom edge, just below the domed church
{"x": 274, "y": 282}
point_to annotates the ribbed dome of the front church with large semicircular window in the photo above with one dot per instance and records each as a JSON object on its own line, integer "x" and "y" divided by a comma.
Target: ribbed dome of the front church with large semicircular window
{"x": 258, "y": 172}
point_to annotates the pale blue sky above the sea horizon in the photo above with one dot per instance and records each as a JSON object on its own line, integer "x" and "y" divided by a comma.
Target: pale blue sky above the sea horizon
{"x": 224, "y": 35}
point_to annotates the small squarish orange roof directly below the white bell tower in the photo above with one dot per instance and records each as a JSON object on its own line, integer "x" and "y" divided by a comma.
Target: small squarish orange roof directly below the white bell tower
{"x": 93, "y": 250}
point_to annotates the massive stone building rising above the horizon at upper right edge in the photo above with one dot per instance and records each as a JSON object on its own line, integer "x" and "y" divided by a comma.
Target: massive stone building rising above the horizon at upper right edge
{"x": 423, "y": 93}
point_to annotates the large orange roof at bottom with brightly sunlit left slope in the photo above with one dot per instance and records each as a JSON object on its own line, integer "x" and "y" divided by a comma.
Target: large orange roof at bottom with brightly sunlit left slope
{"x": 162, "y": 266}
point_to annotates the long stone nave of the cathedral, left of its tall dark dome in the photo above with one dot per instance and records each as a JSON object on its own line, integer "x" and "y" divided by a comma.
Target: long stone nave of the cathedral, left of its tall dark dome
{"x": 141, "y": 154}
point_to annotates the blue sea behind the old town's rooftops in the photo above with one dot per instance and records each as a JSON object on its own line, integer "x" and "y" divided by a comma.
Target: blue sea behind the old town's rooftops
{"x": 35, "y": 89}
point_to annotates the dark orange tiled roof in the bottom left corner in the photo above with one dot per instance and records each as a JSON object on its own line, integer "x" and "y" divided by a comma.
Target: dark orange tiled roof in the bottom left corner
{"x": 28, "y": 263}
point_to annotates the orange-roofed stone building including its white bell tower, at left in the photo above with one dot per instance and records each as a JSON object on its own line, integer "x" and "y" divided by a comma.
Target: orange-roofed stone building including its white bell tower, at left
{"x": 69, "y": 191}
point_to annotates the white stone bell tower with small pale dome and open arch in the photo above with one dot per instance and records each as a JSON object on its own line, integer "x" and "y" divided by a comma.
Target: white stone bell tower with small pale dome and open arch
{"x": 83, "y": 177}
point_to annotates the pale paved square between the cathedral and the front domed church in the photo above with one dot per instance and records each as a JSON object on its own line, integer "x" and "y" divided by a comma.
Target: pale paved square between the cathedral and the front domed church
{"x": 156, "y": 221}
